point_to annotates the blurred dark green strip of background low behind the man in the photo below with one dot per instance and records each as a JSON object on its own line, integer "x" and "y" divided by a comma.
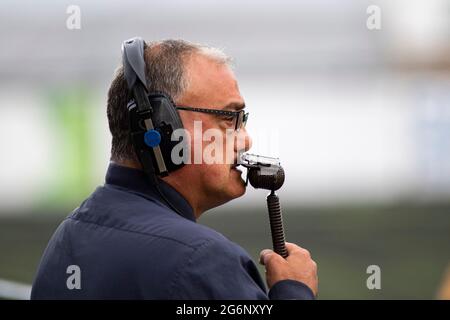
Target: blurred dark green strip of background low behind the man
{"x": 410, "y": 244}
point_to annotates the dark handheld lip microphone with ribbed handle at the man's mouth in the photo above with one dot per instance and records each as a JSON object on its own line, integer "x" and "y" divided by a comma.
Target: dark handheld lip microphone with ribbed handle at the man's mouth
{"x": 267, "y": 173}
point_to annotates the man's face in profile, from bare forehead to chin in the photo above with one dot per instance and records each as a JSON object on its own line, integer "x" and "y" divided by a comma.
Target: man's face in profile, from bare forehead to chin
{"x": 213, "y": 86}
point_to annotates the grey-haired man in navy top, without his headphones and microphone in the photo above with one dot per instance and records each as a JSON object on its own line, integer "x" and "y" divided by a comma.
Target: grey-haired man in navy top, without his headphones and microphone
{"x": 125, "y": 242}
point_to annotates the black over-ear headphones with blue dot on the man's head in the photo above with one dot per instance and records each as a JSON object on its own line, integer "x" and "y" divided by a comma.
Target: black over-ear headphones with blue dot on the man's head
{"x": 153, "y": 118}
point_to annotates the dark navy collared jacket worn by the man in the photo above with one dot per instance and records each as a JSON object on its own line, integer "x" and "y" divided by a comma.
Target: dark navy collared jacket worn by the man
{"x": 128, "y": 244}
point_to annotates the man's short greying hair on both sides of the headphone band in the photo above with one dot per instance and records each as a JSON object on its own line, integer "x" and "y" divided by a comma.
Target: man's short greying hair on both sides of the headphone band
{"x": 166, "y": 72}
